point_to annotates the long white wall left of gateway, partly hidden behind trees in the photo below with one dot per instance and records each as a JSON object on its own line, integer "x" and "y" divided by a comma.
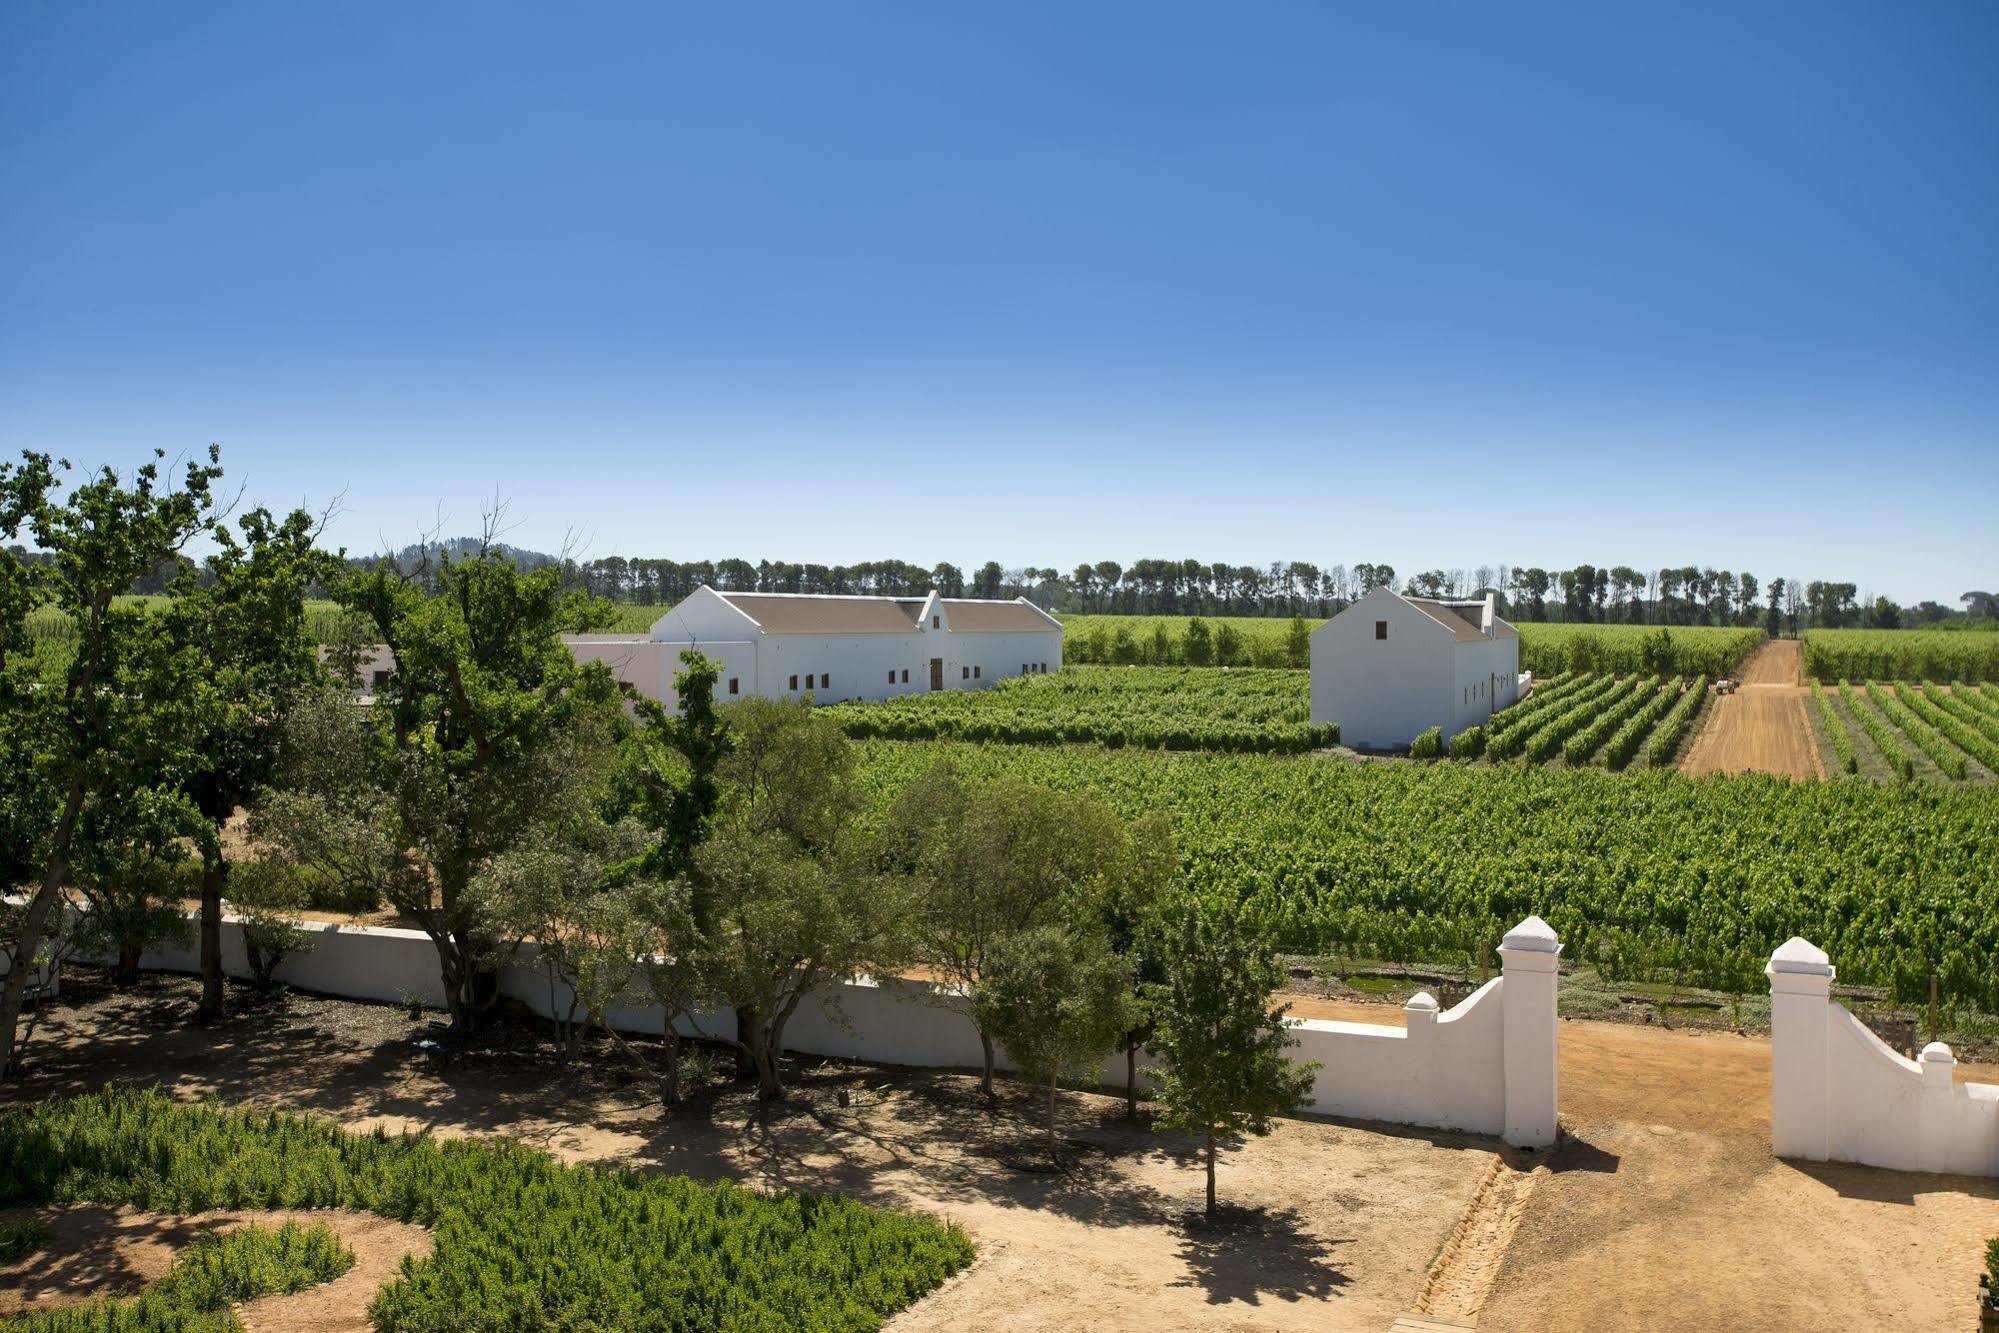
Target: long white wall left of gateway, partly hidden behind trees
{"x": 1488, "y": 1066}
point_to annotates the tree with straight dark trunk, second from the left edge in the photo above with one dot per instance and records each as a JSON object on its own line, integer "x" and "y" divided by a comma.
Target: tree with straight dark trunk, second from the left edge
{"x": 247, "y": 623}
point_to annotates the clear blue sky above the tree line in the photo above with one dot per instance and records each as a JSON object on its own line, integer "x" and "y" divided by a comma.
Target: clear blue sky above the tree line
{"x": 1440, "y": 285}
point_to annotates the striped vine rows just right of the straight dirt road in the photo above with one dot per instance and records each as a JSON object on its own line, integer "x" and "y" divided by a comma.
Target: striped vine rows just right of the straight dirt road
{"x": 1912, "y": 732}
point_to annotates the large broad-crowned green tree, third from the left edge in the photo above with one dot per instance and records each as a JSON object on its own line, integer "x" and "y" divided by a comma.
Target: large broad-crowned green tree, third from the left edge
{"x": 489, "y": 734}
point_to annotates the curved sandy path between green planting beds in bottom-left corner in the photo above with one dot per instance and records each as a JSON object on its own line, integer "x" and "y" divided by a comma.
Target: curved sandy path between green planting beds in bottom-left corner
{"x": 117, "y": 1250}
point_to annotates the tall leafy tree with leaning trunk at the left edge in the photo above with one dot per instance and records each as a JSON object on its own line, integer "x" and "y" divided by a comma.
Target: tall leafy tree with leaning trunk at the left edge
{"x": 123, "y": 712}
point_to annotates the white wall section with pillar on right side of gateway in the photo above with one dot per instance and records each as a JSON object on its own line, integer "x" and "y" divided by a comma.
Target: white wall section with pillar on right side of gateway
{"x": 1840, "y": 1094}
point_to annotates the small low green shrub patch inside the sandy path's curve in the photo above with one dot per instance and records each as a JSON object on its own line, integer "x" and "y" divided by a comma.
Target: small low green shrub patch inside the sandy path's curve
{"x": 217, "y": 1272}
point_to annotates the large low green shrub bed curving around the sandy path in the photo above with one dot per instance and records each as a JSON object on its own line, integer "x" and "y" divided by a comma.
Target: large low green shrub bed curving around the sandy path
{"x": 523, "y": 1242}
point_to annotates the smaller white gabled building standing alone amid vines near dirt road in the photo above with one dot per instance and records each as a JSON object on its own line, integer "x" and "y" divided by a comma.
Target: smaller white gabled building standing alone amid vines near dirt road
{"x": 1388, "y": 668}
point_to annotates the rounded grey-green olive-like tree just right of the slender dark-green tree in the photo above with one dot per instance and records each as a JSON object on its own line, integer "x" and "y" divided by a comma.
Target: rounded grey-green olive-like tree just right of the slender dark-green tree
{"x": 787, "y": 884}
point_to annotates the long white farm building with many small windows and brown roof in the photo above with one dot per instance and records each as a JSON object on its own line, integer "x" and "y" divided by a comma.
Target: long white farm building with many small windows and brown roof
{"x": 835, "y": 647}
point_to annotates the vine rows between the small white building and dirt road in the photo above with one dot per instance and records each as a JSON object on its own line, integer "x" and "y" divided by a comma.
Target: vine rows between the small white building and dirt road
{"x": 1586, "y": 720}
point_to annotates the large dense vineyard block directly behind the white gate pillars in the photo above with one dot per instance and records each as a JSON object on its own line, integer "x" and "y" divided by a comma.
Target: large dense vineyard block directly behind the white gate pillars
{"x": 1646, "y": 876}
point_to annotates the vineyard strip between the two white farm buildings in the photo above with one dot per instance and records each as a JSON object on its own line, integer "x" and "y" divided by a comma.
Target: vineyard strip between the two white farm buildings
{"x": 1156, "y": 708}
